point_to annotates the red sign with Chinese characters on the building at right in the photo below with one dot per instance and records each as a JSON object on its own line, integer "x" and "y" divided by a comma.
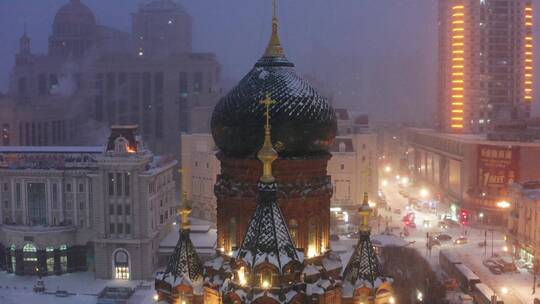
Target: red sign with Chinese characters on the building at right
{"x": 497, "y": 166}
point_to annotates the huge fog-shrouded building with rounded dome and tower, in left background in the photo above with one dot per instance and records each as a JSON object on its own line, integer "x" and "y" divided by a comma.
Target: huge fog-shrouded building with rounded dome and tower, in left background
{"x": 104, "y": 76}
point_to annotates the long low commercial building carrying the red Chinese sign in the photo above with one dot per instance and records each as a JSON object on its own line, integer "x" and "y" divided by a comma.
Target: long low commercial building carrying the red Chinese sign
{"x": 468, "y": 173}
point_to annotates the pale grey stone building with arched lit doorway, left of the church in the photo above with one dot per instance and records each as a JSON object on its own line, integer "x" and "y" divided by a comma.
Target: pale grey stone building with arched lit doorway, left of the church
{"x": 103, "y": 209}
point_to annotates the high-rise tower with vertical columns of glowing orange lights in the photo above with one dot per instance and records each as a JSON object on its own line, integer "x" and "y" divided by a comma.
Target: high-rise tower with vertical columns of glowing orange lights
{"x": 485, "y": 63}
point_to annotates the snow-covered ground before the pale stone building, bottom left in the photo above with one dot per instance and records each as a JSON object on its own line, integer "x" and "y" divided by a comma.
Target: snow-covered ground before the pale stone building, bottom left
{"x": 18, "y": 289}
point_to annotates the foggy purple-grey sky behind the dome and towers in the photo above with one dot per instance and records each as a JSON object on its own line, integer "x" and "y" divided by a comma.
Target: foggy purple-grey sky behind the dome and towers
{"x": 378, "y": 56}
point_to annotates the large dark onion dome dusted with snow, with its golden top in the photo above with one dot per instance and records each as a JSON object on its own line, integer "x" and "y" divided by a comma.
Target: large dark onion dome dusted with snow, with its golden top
{"x": 303, "y": 122}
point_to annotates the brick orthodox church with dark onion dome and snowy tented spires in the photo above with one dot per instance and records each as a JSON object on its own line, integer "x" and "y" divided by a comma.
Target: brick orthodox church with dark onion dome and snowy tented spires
{"x": 273, "y": 131}
